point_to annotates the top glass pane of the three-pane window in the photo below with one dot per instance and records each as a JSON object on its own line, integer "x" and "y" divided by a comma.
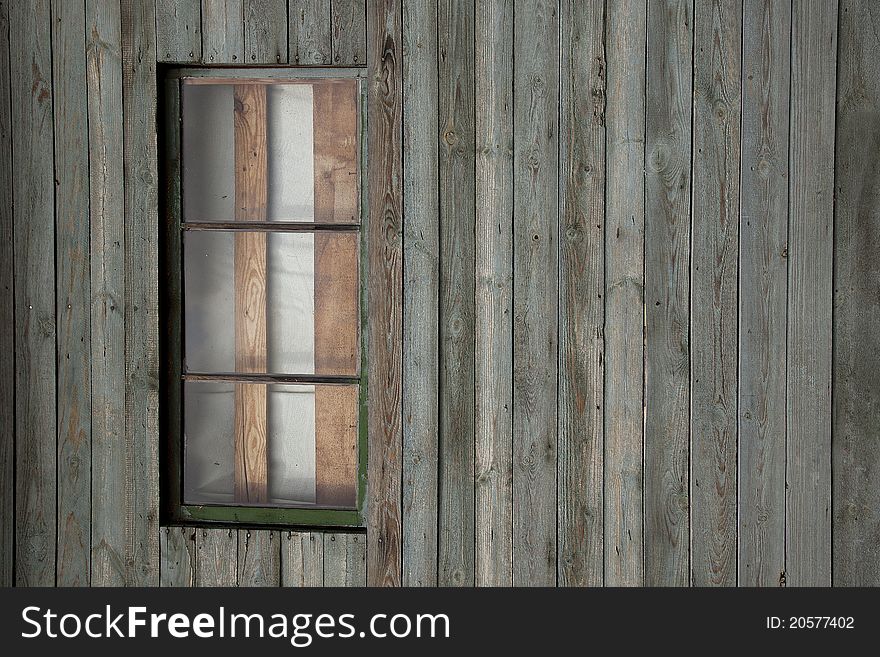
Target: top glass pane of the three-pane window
{"x": 298, "y": 138}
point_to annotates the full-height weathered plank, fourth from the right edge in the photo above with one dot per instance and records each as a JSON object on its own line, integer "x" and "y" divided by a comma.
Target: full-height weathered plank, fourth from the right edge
{"x": 714, "y": 280}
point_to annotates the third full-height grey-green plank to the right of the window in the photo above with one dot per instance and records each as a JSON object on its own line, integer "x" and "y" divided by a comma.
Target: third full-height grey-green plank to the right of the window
{"x": 456, "y": 325}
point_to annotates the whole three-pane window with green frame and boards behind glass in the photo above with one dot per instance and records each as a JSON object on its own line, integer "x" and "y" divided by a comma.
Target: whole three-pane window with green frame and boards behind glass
{"x": 265, "y": 347}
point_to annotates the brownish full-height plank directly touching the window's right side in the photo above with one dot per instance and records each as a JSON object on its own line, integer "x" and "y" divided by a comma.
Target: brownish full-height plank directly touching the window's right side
{"x": 385, "y": 297}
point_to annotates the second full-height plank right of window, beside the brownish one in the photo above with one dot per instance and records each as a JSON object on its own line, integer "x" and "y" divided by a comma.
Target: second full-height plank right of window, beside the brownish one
{"x": 420, "y": 294}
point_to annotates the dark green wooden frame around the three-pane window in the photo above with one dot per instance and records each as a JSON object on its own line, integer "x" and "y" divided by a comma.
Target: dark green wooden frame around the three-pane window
{"x": 174, "y": 510}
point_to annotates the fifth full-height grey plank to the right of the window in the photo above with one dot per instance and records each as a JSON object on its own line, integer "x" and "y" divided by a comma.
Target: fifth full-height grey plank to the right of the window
{"x": 535, "y": 300}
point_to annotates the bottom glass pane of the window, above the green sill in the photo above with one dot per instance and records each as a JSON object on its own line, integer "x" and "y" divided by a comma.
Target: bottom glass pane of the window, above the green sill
{"x": 294, "y": 445}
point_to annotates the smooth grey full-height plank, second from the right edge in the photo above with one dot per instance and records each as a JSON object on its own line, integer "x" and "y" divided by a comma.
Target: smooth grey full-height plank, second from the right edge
{"x": 810, "y": 294}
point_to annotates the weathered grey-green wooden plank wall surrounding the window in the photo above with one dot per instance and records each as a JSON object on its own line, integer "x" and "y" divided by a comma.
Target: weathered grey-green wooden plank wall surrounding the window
{"x": 623, "y": 291}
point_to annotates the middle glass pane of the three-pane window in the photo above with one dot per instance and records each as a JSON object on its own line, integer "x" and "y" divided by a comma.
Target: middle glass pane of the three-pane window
{"x": 276, "y": 303}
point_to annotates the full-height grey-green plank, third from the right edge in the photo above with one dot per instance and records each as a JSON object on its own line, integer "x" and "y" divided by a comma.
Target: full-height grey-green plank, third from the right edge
{"x": 763, "y": 289}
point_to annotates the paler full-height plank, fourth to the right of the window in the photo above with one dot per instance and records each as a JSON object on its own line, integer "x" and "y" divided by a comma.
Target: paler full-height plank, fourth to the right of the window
{"x": 493, "y": 290}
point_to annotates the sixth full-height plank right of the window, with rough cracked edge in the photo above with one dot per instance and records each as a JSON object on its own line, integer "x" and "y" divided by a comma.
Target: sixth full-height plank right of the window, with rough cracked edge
{"x": 581, "y": 291}
